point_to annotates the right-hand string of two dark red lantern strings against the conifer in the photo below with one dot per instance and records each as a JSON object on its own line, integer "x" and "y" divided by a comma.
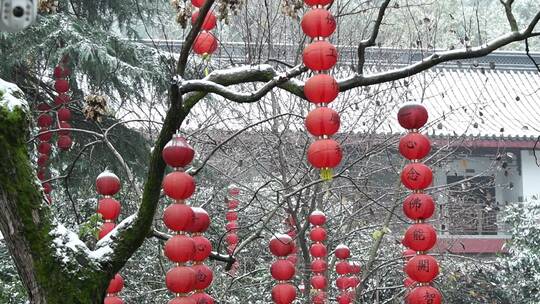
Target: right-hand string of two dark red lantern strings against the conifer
{"x": 61, "y": 86}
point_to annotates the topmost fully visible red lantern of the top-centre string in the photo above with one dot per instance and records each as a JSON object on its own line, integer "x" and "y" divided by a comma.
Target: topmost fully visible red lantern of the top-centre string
{"x": 318, "y": 22}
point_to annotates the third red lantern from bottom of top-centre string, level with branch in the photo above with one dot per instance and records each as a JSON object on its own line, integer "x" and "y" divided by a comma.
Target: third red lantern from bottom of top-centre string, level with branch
{"x": 321, "y": 88}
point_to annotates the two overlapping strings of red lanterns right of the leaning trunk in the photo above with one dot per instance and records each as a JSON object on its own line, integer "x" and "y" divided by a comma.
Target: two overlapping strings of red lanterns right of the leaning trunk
{"x": 182, "y": 219}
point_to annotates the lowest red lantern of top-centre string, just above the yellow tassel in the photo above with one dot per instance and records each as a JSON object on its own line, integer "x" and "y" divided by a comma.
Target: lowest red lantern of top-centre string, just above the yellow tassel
{"x": 324, "y": 153}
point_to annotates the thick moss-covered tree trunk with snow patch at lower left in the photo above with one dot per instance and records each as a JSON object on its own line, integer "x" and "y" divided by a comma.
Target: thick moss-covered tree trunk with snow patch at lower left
{"x": 51, "y": 271}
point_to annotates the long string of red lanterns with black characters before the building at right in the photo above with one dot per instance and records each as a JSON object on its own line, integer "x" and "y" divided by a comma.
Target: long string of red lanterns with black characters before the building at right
{"x": 420, "y": 237}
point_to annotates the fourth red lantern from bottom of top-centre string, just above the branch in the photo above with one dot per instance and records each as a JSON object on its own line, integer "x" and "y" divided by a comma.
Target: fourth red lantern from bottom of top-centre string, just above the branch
{"x": 320, "y": 56}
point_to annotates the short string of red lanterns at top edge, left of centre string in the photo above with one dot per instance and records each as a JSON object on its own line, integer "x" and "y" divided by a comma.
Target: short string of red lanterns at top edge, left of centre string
{"x": 206, "y": 43}
